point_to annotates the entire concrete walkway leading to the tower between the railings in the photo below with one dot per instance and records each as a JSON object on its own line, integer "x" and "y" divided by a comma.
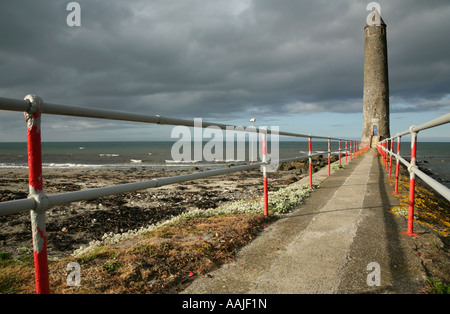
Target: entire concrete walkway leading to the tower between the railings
{"x": 326, "y": 244}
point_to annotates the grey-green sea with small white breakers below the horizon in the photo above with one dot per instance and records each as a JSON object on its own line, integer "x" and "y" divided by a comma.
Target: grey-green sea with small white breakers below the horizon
{"x": 156, "y": 155}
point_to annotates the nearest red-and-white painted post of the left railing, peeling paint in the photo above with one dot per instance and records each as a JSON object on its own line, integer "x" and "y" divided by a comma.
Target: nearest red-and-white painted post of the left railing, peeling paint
{"x": 33, "y": 119}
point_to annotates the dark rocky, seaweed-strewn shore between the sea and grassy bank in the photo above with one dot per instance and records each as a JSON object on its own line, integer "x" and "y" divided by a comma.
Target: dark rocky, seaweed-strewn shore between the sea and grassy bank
{"x": 76, "y": 224}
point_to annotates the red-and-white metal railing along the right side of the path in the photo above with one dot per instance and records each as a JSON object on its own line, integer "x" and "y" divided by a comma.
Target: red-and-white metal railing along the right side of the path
{"x": 385, "y": 147}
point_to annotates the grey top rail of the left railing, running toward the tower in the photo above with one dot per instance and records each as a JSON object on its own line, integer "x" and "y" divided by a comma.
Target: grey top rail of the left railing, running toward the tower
{"x": 87, "y": 112}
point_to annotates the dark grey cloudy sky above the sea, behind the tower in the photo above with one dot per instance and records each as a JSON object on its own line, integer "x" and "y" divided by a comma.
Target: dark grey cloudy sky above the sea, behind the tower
{"x": 295, "y": 64}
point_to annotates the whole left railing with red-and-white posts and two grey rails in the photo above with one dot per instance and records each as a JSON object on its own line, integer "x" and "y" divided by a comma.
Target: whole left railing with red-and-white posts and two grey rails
{"x": 38, "y": 202}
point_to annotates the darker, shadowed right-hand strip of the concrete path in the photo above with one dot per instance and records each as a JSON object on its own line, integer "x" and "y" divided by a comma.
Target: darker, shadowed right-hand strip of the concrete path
{"x": 380, "y": 239}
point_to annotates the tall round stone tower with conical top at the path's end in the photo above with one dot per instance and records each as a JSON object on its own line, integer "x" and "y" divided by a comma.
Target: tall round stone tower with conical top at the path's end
{"x": 376, "y": 82}
